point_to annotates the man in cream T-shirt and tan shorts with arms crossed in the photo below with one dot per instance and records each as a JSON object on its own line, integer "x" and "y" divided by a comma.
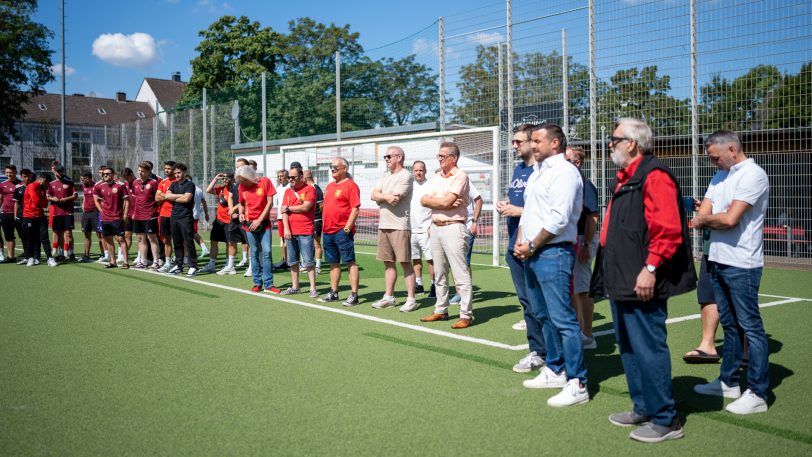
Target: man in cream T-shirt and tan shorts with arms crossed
{"x": 393, "y": 196}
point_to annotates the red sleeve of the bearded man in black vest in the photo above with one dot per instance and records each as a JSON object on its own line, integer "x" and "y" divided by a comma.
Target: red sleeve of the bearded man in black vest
{"x": 662, "y": 217}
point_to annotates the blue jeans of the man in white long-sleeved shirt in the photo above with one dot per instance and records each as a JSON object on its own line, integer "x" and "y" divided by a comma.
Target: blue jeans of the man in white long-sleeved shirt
{"x": 548, "y": 275}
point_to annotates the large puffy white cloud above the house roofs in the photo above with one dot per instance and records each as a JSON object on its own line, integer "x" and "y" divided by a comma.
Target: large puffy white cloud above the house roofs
{"x": 131, "y": 51}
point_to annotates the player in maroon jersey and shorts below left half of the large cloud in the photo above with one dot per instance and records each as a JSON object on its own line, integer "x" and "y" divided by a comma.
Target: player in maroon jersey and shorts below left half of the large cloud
{"x": 113, "y": 204}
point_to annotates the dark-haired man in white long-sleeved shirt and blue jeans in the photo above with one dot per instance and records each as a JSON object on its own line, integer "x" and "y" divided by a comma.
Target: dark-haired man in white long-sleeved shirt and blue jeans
{"x": 547, "y": 230}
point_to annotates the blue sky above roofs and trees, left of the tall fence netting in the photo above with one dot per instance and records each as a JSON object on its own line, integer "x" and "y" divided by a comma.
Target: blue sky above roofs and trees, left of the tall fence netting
{"x": 112, "y": 45}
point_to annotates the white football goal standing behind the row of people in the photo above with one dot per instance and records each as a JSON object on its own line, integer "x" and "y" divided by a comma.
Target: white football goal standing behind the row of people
{"x": 481, "y": 157}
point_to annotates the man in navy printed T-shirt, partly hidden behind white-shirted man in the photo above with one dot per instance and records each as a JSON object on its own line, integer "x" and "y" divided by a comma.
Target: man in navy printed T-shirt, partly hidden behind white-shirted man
{"x": 511, "y": 209}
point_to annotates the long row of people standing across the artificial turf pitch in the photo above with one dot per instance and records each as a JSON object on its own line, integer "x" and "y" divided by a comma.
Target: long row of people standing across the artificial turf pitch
{"x": 642, "y": 250}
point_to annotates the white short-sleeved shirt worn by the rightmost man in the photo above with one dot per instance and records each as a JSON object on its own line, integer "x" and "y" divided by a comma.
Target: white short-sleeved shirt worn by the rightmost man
{"x": 742, "y": 246}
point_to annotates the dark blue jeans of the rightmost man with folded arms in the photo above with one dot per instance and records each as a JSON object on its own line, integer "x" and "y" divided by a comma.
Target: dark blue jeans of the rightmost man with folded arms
{"x": 736, "y": 291}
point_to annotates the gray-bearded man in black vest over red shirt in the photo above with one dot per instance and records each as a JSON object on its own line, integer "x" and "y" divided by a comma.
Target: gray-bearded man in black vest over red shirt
{"x": 646, "y": 258}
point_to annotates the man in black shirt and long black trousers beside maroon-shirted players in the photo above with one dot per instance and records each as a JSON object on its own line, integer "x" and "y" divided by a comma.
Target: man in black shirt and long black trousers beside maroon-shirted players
{"x": 181, "y": 193}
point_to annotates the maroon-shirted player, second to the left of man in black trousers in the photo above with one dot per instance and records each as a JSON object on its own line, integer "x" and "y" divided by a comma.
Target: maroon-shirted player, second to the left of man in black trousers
{"x": 145, "y": 215}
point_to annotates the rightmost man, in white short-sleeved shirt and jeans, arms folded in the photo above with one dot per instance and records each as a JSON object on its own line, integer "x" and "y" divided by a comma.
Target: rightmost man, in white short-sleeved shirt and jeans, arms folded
{"x": 733, "y": 209}
